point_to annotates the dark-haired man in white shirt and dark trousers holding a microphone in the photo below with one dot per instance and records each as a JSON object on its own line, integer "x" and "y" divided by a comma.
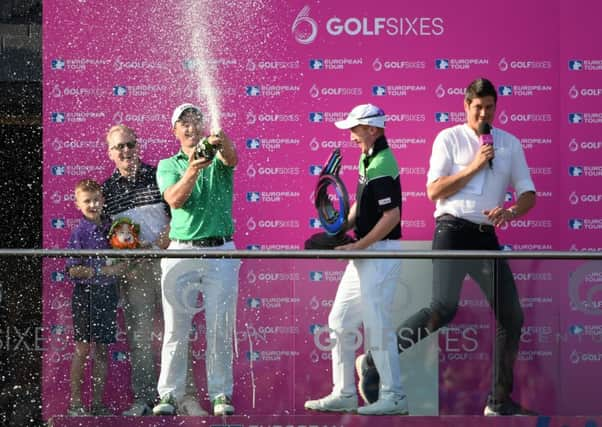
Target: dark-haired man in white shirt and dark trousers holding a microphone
{"x": 471, "y": 167}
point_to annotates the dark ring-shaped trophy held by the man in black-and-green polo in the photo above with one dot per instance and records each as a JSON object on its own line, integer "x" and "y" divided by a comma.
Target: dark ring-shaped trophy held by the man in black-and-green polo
{"x": 333, "y": 220}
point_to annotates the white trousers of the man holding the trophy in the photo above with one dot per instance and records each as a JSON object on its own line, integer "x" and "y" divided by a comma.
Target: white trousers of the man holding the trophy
{"x": 365, "y": 295}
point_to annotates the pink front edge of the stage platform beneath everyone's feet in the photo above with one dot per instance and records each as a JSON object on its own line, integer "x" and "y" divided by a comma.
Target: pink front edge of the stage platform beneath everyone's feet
{"x": 351, "y": 420}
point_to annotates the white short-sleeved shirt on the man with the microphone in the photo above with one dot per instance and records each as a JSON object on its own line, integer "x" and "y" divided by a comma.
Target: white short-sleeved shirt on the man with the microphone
{"x": 455, "y": 148}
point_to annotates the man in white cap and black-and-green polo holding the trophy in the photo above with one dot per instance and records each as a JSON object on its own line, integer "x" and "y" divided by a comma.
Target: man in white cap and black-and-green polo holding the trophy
{"x": 366, "y": 291}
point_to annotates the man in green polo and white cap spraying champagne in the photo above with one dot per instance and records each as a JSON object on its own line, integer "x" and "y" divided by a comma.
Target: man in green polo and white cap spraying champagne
{"x": 198, "y": 190}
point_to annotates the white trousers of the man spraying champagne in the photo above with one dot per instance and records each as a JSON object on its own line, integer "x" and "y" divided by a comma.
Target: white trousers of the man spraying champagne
{"x": 181, "y": 282}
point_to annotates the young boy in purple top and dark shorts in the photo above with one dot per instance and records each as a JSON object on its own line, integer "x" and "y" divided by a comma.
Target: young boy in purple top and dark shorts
{"x": 94, "y": 301}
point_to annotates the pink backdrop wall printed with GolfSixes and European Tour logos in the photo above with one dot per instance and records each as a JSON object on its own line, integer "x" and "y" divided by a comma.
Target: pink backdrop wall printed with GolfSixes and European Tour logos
{"x": 280, "y": 73}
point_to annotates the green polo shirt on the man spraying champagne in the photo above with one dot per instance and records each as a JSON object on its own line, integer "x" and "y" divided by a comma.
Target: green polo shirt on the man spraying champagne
{"x": 208, "y": 210}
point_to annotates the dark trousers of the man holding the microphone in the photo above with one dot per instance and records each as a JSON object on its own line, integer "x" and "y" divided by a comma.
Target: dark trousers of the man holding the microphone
{"x": 448, "y": 276}
